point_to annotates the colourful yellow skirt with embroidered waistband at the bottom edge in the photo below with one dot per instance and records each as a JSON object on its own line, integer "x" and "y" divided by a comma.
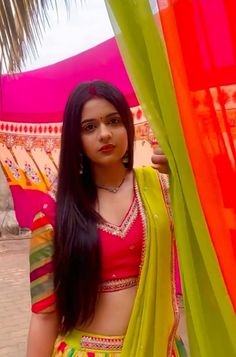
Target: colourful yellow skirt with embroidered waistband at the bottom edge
{"x": 82, "y": 344}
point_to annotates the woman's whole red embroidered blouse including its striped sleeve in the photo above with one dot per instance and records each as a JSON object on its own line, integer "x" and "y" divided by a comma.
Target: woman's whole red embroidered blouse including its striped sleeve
{"x": 121, "y": 250}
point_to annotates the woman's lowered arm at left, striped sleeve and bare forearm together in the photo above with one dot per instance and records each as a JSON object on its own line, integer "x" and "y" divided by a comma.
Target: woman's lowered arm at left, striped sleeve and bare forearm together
{"x": 44, "y": 324}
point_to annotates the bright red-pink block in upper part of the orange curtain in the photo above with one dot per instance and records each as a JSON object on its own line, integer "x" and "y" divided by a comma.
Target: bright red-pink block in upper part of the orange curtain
{"x": 206, "y": 31}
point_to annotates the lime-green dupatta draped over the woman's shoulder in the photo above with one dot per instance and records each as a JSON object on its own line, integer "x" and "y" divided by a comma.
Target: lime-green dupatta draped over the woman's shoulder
{"x": 152, "y": 325}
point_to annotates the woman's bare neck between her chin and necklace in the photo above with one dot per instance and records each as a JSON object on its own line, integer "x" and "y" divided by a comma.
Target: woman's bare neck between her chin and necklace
{"x": 109, "y": 176}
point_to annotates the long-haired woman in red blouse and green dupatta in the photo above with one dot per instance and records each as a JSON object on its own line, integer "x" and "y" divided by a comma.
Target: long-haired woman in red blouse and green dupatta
{"x": 101, "y": 271}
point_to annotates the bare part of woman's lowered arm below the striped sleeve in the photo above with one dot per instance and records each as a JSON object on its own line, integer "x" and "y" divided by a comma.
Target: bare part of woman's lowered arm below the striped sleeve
{"x": 43, "y": 332}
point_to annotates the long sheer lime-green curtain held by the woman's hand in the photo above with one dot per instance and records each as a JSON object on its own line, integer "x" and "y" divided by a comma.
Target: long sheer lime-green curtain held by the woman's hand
{"x": 210, "y": 317}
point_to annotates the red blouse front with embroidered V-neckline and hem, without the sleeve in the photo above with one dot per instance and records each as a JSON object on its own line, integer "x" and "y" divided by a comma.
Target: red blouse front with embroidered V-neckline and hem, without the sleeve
{"x": 121, "y": 249}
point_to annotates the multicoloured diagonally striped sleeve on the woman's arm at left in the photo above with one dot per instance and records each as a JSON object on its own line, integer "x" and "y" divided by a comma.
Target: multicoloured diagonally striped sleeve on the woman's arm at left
{"x": 41, "y": 267}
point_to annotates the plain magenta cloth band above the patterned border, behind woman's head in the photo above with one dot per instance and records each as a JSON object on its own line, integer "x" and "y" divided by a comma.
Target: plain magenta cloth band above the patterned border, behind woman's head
{"x": 35, "y": 95}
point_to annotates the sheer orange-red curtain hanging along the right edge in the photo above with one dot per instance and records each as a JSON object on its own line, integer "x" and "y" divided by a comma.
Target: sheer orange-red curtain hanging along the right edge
{"x": 200, "y": 37}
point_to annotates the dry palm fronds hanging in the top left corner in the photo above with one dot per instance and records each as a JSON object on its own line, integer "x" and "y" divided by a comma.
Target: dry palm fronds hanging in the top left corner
{"x": 22, "y": 23}
